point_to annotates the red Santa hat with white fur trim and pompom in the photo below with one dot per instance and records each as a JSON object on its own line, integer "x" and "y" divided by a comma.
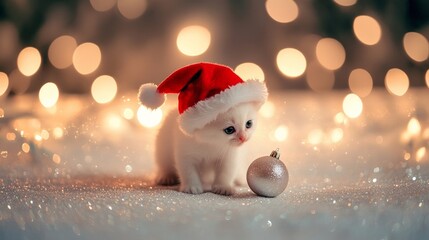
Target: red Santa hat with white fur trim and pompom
{"x": 205, "y": 91}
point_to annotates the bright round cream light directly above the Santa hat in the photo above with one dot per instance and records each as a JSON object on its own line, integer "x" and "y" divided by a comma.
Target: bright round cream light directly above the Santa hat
{"x": 193, "y": 40}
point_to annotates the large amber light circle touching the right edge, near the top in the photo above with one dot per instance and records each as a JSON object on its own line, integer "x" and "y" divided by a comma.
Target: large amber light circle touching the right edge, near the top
{"x": 416, "y": 46}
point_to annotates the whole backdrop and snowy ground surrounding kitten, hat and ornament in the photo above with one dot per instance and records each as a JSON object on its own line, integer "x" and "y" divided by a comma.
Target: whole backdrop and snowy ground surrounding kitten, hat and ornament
{"x": 348, "y": 109}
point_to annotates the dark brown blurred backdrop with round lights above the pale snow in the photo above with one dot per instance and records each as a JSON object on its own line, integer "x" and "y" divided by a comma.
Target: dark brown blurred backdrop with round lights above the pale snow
{"x": 53, "y": 46}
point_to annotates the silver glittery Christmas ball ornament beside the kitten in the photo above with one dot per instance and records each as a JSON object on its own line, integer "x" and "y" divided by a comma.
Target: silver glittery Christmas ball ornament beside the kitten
{"x": 268, "y": 176}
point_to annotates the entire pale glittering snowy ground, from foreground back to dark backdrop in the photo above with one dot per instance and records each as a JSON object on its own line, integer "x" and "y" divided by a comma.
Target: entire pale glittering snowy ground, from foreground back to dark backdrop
{"x": 364, "y": 178}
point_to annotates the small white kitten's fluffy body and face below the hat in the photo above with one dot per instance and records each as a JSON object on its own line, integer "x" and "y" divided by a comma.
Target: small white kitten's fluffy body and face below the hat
{"x": 208, "y": 159}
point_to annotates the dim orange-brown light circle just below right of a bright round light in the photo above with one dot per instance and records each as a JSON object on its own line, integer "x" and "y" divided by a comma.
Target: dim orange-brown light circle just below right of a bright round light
{"x": 319, "y": 79}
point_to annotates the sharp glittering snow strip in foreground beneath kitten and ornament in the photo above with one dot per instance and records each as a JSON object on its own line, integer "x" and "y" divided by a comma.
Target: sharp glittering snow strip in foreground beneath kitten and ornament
{"x": 106, "y": 208}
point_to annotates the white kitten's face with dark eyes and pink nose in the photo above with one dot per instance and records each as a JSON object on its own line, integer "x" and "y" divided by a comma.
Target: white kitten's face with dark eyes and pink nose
{"x": 234, "y": 127}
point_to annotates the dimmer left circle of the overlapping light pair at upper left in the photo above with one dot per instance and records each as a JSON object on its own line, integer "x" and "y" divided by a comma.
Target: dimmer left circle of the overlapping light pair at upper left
{"x": 61, "y": 51}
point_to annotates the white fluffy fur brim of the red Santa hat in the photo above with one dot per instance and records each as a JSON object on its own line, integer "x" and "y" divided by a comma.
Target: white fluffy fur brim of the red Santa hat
{"x": 206, "y": 111}
